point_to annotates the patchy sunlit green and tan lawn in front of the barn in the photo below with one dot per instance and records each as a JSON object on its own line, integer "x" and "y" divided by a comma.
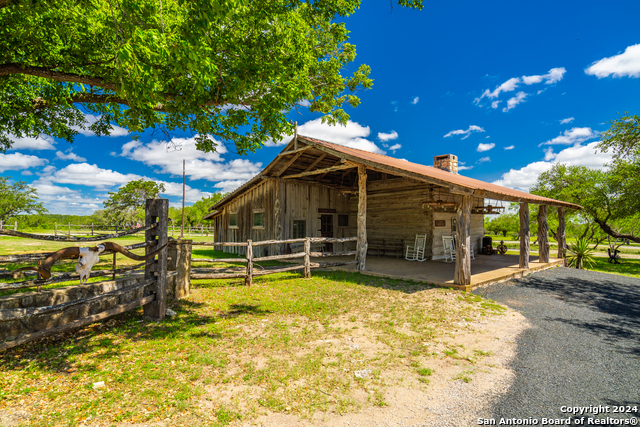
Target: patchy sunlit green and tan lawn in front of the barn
{"x": 286, "y": 345}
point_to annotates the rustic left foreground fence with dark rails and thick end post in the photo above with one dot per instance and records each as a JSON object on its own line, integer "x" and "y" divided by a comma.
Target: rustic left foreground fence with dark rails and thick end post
{"x": 152, "y": 287}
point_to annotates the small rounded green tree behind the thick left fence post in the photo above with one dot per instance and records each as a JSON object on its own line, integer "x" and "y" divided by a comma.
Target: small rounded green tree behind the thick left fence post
{"x": 126, "y": 205}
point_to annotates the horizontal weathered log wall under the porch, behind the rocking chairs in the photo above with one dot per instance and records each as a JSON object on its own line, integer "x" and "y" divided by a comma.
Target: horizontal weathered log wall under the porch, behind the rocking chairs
{"x": 395, "y": 212}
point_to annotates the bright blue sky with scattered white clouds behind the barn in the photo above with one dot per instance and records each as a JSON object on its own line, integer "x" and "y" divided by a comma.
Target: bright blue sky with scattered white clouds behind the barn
{"x": 508, "y": 87}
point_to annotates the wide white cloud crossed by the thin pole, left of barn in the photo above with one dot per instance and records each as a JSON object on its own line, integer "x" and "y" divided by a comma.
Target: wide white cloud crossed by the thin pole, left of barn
{"x": 199, "y": 165}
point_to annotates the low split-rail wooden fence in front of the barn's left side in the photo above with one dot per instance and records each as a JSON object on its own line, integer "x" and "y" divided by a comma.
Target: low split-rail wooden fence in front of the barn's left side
{"x": 249, "y": 272}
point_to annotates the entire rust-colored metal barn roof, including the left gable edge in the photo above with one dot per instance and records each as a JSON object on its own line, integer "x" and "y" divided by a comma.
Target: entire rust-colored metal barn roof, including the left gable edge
{"x": 406, "y": 168}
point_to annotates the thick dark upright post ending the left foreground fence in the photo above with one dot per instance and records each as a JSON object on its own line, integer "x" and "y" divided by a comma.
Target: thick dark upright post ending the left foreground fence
{"x": 157, "y": 210}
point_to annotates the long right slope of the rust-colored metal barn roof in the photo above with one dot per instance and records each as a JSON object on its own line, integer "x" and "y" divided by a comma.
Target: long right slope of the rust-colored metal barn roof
{"x": 439, "y": 174}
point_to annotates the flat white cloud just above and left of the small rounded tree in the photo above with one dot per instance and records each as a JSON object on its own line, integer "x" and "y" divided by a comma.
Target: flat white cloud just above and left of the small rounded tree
{"x": 90, "y": 176}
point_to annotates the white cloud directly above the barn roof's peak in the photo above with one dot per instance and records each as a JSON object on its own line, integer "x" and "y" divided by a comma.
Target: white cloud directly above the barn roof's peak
{"x": 352, "y": 135}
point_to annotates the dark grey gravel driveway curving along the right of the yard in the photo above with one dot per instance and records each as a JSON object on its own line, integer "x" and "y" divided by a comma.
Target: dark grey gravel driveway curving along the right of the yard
{"x": 583, "y": 347}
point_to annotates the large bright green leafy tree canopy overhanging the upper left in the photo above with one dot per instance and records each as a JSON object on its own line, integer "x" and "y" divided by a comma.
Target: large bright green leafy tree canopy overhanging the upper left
{"x": 228, "y": 69}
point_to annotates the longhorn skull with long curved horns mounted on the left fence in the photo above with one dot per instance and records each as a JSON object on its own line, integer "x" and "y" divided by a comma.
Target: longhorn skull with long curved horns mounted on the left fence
{"x": 88, "y": 257}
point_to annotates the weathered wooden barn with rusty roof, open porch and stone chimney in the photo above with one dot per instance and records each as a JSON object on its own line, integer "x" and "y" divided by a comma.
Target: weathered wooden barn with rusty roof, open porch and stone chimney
{"x": 315, "y": 188}
